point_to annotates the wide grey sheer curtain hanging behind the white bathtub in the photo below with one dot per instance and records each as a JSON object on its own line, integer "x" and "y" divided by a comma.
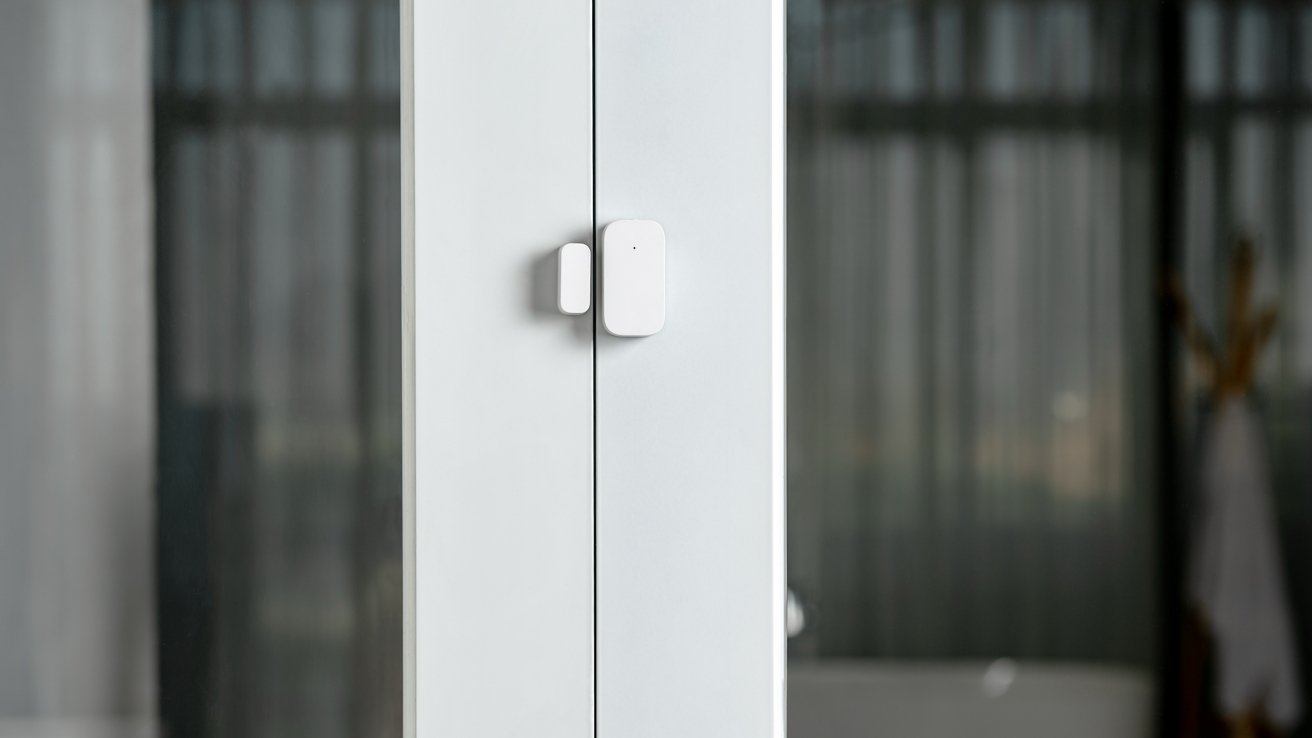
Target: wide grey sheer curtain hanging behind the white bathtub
{"x": 970, "y": 441}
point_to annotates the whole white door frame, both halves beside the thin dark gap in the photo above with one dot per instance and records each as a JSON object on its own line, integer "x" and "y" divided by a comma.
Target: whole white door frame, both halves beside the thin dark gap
{"x": 686, "y": 116}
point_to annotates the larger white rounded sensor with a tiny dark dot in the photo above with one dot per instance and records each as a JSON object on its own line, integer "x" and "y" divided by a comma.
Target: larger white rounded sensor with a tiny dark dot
{"x": 633, "y": 287}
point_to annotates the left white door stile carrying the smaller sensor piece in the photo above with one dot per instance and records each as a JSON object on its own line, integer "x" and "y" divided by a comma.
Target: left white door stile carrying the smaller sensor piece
{"x": 503, "y": 387}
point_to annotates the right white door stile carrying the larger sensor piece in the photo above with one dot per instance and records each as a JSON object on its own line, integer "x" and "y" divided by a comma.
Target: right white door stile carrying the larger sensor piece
{"x": 691, "y": 421}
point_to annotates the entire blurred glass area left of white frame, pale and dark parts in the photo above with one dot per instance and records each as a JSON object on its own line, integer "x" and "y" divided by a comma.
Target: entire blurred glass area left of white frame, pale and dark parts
{"x": 200, "y": 397}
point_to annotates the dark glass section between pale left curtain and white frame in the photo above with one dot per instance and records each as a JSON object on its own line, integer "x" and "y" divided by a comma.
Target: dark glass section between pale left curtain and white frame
{"x": 276, "y": 148}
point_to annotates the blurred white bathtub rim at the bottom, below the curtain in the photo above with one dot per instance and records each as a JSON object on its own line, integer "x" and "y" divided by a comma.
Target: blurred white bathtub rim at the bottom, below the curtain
{"x": 948, "y": 701}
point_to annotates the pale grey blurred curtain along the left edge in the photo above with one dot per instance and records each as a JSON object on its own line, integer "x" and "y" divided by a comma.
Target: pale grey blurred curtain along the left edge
{"x": 77, "y": 406}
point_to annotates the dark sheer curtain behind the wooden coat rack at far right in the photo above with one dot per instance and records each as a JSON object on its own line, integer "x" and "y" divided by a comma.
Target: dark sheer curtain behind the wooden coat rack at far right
{"x": 1248, "y": 170}
